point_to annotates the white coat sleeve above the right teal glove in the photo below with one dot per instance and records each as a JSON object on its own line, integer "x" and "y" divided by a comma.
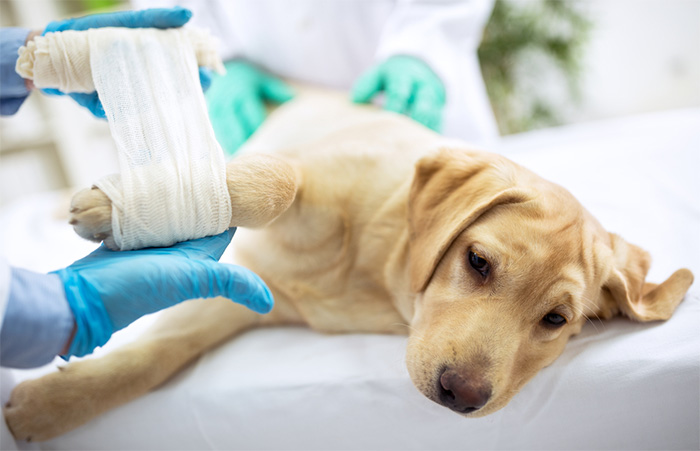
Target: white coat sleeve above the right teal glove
{"x": 445, "y": 35}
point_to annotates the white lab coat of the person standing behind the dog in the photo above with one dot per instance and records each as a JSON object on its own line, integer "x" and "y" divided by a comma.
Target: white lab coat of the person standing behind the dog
{"x": 331, "y": 43}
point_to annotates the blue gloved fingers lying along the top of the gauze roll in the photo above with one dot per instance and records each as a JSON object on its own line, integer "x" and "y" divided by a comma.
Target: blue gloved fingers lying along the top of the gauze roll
{"x": 147, "y": 18}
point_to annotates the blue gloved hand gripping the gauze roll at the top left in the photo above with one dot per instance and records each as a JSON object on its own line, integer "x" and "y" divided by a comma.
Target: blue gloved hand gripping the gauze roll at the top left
{"x": 147, "y": 18}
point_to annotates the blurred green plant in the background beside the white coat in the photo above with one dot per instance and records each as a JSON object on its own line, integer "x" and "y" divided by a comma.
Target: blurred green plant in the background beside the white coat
{"x": 527, "y": 44}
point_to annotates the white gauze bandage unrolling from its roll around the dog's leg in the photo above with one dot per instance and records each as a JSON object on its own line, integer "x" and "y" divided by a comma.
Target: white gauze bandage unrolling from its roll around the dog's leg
{"x": 172, "y": 185}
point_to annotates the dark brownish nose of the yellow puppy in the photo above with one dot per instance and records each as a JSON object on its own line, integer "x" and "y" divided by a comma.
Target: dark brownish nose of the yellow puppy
{"x": 461, "y": 392}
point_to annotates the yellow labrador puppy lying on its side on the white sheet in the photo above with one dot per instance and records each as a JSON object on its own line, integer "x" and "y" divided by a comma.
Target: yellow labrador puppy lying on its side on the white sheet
{"x": 368, "y": 222}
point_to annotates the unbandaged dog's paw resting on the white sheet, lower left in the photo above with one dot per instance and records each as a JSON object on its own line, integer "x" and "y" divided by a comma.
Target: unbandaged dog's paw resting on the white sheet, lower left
{"x": 44, "y": 408}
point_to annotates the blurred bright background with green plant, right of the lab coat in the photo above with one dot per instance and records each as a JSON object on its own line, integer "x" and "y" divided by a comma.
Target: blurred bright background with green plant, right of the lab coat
{"x": 551, "y": 62}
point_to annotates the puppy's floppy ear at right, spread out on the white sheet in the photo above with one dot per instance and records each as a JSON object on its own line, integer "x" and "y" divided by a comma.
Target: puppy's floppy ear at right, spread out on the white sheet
{"x": 626, "y": 288}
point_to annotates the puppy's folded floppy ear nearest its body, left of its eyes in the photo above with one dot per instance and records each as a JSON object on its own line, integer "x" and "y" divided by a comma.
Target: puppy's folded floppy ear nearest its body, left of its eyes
{"x": 451, "y": 189}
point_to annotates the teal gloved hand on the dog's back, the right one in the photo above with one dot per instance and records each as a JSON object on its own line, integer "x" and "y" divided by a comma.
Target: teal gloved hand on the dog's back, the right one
{"x": 410, "y": 86}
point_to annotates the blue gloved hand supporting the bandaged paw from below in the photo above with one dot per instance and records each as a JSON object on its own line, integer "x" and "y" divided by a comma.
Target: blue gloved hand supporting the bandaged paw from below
{"x": 107, "y": 290}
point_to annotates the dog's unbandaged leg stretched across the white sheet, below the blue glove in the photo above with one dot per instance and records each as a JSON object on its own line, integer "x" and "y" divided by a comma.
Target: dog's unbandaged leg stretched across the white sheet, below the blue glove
{"x": 54, "y": 404}
